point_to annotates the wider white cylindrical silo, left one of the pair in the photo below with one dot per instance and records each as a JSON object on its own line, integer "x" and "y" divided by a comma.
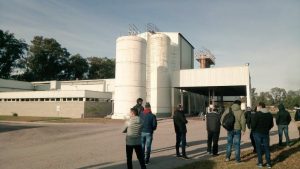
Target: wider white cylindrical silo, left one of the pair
{"x": 130, "y": 77}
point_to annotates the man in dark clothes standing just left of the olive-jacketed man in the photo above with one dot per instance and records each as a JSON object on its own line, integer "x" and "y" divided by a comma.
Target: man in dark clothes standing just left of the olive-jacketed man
{"x": 213, "y": 125}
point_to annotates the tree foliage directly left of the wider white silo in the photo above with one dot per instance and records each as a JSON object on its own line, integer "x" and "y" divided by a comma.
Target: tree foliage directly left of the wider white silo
{"x": 101, "y": 68}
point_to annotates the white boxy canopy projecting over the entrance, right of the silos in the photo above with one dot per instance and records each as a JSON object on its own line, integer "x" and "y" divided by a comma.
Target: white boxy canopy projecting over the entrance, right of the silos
{"x": 228, "y": 81}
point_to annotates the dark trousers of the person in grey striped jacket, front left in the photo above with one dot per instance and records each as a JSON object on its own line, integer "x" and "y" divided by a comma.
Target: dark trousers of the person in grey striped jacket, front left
{"x": 139, "y": 155}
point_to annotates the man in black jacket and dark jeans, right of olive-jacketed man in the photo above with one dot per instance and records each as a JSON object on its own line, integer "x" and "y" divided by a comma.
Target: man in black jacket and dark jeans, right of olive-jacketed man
{"x": 261, "y": 124}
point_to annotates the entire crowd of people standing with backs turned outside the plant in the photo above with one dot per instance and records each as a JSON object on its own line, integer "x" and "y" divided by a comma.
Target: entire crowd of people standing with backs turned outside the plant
{"x": 142, "y": 123}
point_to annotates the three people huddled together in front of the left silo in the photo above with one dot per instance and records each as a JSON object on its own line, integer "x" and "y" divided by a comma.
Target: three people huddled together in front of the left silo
{"x": 139, "y": 133}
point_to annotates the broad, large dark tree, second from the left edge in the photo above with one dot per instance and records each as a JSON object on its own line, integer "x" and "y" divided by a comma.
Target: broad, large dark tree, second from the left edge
{"x": 47, "y": 60}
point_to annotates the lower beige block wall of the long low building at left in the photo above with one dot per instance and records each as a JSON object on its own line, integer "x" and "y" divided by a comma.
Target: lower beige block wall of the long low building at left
{"x": 57, "y": 109}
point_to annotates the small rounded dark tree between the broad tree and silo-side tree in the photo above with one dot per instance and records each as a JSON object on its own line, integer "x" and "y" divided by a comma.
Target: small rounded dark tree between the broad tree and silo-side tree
{"x": 78, "y": 67}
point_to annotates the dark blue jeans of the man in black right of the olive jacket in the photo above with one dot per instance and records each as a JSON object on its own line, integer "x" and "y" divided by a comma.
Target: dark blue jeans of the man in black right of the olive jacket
{"x": 262, "y": 141}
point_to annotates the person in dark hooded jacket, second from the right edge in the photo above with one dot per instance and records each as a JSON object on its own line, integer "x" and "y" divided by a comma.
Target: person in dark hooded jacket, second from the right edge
{"x": 283, "y": 119}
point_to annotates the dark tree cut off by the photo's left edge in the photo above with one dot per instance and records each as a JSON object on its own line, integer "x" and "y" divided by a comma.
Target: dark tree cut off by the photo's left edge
{"x": 11, "y": 51}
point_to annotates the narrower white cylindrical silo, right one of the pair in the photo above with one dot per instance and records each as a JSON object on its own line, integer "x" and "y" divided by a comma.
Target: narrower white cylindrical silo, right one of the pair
{"x": 160, "y": 76}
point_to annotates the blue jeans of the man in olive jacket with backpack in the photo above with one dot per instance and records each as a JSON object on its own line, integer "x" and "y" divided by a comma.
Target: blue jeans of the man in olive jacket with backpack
{"x": 234, "y": 138}
